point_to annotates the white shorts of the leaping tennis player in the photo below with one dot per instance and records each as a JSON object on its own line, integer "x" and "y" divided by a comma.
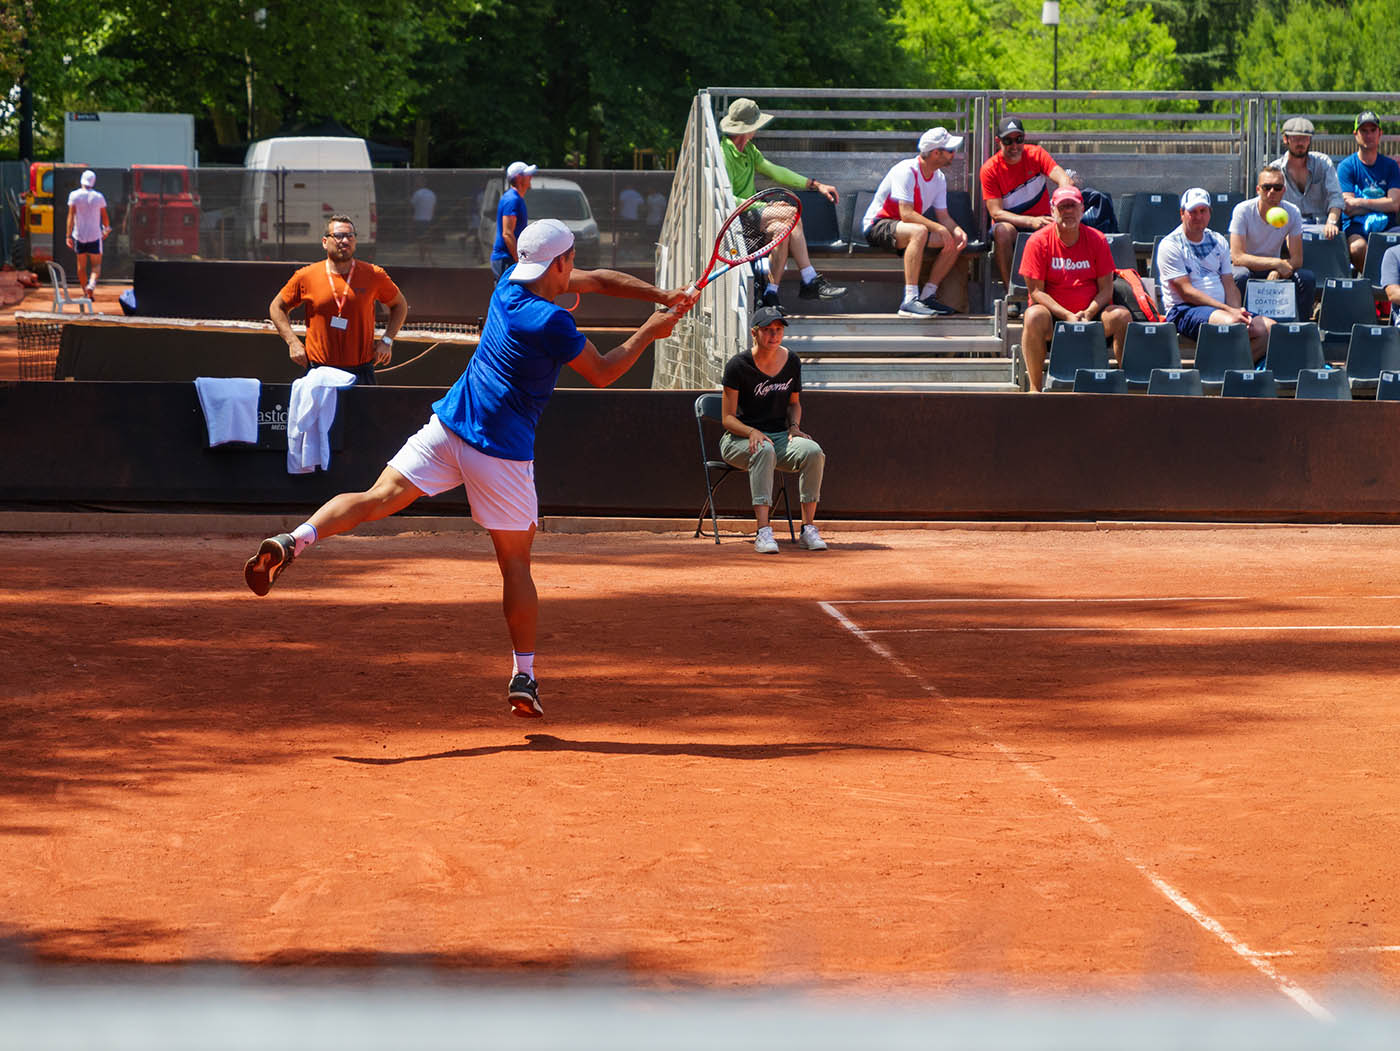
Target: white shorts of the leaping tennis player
{"x": 500, "y": 493}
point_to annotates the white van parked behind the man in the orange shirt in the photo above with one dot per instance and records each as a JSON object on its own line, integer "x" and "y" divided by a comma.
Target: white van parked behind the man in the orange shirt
{"x": 295, "y": 184}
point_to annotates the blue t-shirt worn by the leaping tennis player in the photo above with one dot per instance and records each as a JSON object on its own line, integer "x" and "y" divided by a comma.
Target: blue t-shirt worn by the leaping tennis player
{"x": 498, "y": 401}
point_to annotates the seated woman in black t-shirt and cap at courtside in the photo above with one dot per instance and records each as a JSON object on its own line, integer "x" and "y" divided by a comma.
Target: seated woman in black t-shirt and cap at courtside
{"x": 762, "y": 416}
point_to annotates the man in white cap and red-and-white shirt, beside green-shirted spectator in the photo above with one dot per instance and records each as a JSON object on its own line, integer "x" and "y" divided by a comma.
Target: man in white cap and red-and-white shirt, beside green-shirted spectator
{"x": 899, "y": 222}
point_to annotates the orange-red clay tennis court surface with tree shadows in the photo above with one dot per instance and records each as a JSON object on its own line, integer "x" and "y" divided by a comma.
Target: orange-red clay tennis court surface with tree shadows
{"x": 1058, "y": 761}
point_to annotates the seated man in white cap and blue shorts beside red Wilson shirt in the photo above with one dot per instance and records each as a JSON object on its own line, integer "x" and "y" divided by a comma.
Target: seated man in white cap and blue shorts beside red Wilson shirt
{"x": 1198, "y": 285}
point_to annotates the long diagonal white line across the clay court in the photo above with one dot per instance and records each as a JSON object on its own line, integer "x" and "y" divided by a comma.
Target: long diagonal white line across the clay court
{"x": 1258, "y": 961}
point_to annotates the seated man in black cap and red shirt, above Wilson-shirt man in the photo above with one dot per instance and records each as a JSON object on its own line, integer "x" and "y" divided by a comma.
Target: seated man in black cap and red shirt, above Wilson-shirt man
{"x": 1017, "y": 183}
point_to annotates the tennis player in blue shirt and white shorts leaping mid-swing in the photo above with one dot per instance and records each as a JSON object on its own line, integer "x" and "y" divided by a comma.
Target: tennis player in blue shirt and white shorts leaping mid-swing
{"x": 482, "y": 435}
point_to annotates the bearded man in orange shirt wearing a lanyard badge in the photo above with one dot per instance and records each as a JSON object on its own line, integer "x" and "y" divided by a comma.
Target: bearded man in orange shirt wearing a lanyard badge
{"x": 339, "y": 293}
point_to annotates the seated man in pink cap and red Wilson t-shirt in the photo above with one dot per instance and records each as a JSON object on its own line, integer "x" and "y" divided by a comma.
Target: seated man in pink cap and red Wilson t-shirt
{"x": 1069, "y": 269}
